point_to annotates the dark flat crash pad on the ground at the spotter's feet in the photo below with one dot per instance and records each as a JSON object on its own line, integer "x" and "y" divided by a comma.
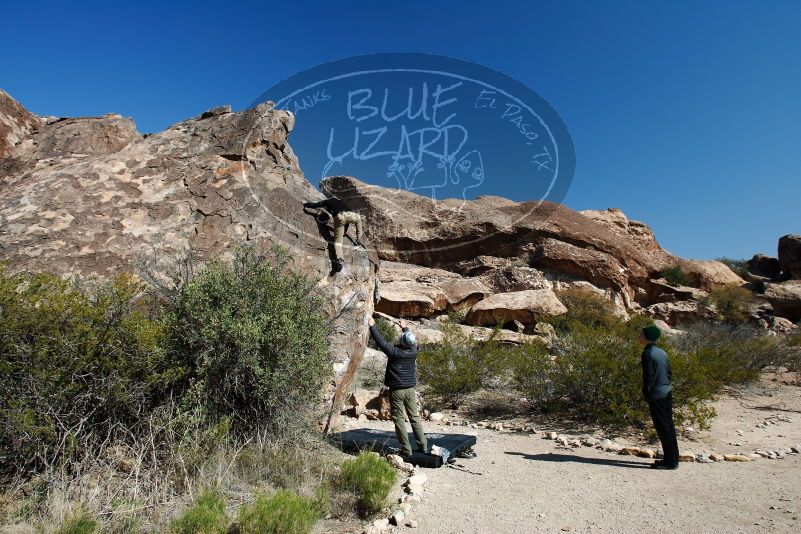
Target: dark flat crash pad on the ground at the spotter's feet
{"x": 384, "y": 442}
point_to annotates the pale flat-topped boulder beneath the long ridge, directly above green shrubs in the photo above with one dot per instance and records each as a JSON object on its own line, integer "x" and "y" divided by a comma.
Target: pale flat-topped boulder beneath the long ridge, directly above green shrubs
{"x": 528, "y": 307}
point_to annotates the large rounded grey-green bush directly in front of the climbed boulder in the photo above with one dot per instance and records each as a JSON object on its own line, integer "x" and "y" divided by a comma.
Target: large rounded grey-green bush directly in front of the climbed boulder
{"x": 255, "y": 339}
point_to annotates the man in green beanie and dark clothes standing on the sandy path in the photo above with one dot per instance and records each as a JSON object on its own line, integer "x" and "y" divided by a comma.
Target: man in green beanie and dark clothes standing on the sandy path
{"x": 656, "y": 389}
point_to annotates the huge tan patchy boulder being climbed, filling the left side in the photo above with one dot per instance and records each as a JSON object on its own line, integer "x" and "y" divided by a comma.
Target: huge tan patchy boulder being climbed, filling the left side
{"x": 92, "y": 197}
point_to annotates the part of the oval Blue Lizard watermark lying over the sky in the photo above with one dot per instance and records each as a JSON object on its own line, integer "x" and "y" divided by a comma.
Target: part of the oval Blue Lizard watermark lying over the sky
{"x": 433, "y": 125}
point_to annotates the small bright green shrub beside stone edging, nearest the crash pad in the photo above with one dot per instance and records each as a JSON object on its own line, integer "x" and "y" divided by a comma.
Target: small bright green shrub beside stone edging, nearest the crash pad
{"x": 370, "y": 478}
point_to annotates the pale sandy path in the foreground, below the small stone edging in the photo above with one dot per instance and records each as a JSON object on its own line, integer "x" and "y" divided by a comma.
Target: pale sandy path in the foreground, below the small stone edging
{"x": 526, "y": 484}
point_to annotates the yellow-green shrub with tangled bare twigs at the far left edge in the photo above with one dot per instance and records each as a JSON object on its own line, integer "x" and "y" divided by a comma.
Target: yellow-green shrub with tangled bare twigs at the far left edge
{"x": 75, "y": 367}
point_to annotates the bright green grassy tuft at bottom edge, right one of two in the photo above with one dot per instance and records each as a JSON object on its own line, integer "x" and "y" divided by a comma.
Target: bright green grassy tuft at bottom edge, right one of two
{"x": 284, "y": 512}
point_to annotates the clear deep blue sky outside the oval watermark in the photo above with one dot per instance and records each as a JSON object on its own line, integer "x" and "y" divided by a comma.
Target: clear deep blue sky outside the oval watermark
{"x": 687, "y": 115}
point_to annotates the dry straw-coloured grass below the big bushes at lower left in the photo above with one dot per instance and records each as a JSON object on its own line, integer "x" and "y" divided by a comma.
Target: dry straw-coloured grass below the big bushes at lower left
{"x": 133, "y": 489}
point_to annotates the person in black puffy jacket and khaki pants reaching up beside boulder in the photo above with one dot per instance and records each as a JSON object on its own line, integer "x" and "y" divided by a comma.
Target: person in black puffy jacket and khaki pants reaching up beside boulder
{"x": 401, "y": 378}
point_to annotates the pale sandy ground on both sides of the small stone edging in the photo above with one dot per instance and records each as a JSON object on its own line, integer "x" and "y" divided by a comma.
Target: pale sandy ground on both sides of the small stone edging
{"x": 522, "y": 483}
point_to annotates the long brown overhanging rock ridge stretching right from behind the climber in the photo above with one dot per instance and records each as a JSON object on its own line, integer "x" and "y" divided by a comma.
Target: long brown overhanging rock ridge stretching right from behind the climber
{"x": 478, "y": 237}
